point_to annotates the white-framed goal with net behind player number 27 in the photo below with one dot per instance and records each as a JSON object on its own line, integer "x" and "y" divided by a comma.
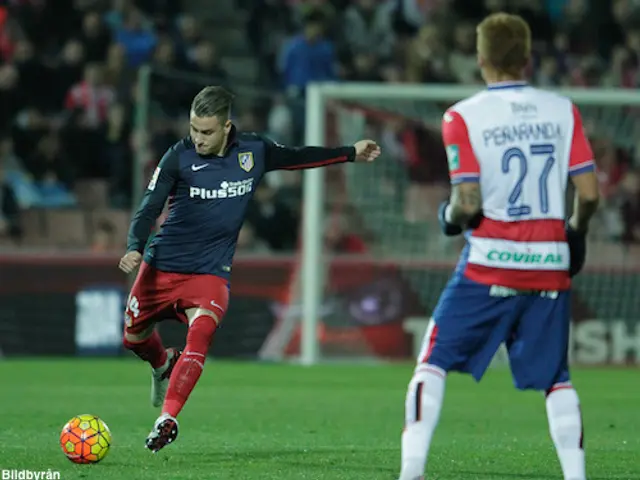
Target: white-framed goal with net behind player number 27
{"x": 377, "y": 304}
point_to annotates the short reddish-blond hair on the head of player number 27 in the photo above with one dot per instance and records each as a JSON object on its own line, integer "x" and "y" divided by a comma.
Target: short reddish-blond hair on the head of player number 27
{"x": 504, "y": 42}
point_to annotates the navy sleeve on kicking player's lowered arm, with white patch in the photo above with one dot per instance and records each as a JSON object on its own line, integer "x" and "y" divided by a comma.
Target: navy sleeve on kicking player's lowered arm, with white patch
{"x": 159, "y": 188}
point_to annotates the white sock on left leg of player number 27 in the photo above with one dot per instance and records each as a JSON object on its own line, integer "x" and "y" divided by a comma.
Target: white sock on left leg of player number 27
{"x": 422, "y": 412}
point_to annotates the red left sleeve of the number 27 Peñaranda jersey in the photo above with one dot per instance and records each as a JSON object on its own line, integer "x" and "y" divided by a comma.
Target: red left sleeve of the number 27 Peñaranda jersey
{"x": 463, "y": 164}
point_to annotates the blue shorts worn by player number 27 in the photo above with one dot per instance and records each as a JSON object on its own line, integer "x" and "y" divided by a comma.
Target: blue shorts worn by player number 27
{"x": 472, "y": 320}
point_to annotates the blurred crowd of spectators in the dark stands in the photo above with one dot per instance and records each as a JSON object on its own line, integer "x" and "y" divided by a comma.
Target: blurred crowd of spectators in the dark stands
{"x": 68, "y": 90}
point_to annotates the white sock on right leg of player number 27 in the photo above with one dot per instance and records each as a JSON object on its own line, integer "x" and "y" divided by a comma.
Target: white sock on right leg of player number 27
{"x": 565, "y": 425}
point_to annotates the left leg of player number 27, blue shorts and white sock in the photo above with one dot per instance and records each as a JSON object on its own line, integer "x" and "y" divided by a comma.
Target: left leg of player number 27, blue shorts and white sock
{"x": 468, "y": 327}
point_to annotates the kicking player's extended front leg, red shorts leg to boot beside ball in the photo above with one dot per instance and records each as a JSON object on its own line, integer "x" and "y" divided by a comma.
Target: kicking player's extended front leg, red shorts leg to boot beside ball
{"x": 212, "y": 294}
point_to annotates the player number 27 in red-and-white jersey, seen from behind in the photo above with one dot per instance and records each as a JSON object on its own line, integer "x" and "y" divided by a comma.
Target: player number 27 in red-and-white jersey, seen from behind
{"x": 511, "y": 149}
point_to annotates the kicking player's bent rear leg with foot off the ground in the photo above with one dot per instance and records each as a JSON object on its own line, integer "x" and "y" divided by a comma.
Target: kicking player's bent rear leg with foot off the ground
{"x": 146, "y": 302}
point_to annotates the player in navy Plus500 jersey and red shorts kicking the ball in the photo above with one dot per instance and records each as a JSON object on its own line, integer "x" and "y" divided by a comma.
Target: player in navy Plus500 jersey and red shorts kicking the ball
{"x": 208, "y": 178}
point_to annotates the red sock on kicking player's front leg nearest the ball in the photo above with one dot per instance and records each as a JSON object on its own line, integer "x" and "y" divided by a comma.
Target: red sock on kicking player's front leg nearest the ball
{"x": 187, "y": 371}
